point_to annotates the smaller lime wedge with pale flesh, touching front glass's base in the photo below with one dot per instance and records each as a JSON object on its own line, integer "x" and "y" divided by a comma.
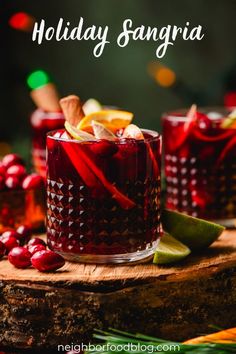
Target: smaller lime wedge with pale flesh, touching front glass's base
{"x": 170, "y": 250}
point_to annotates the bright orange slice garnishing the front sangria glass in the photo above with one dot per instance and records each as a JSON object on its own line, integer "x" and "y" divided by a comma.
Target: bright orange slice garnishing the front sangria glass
{"x": 112, "y": 119}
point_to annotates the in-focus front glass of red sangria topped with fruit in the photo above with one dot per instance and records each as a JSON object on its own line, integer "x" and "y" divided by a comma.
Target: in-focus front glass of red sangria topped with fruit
{"x": 103, "y": 190}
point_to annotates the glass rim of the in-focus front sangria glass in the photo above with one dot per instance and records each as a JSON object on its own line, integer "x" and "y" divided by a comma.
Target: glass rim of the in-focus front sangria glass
{"x": 155, "y": 136}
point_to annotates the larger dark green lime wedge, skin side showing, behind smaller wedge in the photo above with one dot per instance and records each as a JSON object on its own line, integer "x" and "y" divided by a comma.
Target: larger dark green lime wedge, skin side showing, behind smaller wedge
{"x": 195, "y": 233}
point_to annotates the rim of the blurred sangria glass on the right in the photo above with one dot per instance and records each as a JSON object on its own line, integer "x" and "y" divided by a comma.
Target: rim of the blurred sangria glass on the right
{"x": 180, "y": 114}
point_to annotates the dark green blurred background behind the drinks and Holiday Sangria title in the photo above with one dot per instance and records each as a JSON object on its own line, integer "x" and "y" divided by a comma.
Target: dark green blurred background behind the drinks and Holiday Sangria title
{"x": 204, "y": 70}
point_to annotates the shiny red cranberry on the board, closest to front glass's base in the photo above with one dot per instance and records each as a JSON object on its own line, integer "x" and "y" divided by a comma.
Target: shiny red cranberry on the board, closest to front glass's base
{"x": 47, "y": 260}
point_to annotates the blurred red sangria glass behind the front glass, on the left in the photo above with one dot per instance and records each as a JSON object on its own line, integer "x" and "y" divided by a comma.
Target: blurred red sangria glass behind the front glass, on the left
{"x": 42, "y": 122}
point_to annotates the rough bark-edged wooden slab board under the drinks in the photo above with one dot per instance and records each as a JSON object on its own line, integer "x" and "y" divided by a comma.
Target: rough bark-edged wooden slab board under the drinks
{"x": 39, "y": 310}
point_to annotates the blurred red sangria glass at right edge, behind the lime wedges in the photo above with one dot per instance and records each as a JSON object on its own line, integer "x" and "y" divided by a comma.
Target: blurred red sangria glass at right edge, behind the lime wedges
{"x": 200, "y": 168}
